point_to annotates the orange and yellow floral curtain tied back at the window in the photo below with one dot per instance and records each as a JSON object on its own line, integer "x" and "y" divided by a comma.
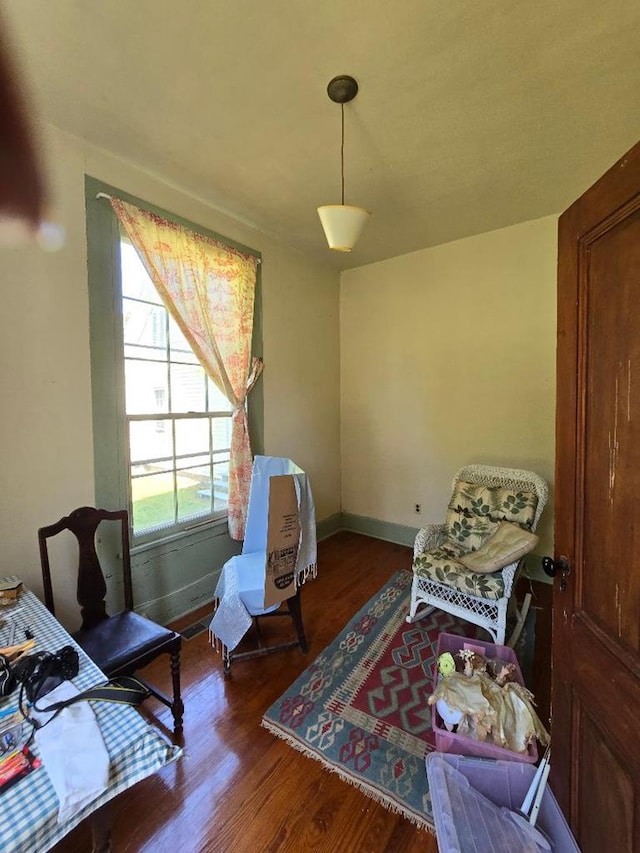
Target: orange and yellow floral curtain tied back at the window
{"x": 209, "y": 289}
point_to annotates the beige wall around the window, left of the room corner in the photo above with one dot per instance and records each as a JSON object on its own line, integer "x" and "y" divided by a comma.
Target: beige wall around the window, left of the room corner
{"x": 46, "y": 438}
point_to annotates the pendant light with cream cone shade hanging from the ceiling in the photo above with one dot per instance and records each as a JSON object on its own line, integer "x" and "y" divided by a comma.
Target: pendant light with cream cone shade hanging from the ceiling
{"x": 342, "y": 223}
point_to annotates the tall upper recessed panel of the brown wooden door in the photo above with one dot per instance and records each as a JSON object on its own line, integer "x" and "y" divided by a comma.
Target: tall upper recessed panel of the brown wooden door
{"x": 612, "y": 433}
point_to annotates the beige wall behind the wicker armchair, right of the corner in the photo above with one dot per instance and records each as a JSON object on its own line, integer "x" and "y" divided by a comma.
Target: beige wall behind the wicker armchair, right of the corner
{"x": 447, "y": 358}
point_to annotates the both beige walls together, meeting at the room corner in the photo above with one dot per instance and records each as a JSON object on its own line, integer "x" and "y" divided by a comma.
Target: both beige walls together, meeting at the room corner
{"x": 445, "y": 356}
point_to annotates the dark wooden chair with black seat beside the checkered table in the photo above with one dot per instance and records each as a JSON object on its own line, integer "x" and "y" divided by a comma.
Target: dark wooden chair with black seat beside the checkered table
{"x": 122, "y": 643}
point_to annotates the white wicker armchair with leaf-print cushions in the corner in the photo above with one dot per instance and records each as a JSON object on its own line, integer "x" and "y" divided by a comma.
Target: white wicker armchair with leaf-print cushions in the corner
{"x": 483, "y": 497}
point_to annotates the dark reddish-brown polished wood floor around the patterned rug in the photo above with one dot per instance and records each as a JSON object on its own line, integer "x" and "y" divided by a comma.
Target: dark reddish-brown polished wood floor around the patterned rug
{"x": 238, "y": 788}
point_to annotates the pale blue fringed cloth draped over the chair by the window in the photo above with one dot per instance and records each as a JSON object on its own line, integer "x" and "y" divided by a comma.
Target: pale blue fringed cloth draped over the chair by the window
{"x": 239, "y": 592}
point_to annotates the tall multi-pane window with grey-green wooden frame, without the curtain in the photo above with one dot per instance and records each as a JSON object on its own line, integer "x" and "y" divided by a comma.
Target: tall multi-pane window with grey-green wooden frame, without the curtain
{"x": 161, "y": 427}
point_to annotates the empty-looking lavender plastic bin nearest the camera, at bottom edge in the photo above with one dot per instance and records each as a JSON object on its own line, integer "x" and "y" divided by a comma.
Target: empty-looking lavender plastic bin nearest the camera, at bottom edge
{"x": 463, "y": 826}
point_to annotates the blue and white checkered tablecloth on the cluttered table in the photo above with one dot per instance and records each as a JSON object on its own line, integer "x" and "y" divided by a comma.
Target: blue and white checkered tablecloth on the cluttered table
{"x": 29, "y": 808}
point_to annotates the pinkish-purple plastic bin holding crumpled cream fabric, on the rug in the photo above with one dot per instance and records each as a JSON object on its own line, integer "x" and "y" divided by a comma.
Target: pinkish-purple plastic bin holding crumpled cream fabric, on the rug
{"x": 447, "y": 741}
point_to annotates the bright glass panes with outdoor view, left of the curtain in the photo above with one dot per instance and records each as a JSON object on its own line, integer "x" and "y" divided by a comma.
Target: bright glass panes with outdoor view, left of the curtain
{"x": 178, "y": 424}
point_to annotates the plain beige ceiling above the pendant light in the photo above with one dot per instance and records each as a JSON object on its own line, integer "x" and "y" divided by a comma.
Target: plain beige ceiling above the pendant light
{"x": 471, "y": 115}
